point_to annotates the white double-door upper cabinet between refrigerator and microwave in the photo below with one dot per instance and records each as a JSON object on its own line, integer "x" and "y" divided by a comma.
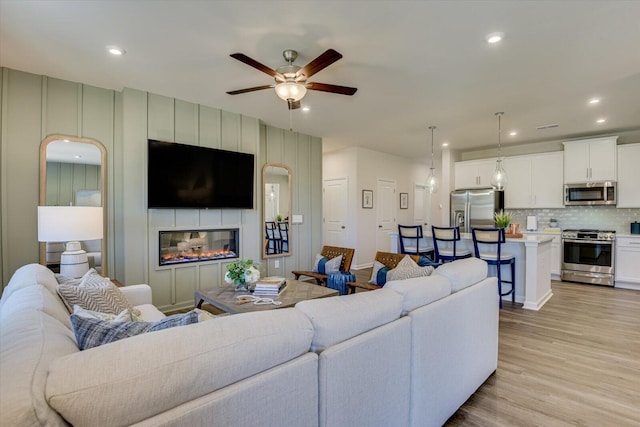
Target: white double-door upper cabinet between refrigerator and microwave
{"x": 534, "y": 181}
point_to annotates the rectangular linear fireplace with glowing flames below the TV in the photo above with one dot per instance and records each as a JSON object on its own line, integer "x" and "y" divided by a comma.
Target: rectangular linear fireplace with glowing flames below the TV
{"x": 188, "y": 246}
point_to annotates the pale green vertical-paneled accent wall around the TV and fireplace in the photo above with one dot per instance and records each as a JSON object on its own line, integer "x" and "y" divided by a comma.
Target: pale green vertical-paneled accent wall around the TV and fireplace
{"x": 35, "y": 106}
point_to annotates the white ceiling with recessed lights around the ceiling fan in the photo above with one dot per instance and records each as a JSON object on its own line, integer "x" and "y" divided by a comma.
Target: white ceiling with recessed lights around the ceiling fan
{"x": 415, "y": 63}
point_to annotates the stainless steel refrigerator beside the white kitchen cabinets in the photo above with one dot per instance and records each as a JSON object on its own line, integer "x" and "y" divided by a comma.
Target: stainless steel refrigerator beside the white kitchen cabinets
{"x": 475, "y": 208}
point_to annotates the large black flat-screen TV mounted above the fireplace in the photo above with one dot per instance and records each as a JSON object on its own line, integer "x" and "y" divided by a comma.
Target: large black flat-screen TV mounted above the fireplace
{"x": 193, "y": 177}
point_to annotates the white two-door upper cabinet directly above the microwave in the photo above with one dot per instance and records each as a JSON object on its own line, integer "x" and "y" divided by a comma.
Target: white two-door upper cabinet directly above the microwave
{"x": 590, "y": 160}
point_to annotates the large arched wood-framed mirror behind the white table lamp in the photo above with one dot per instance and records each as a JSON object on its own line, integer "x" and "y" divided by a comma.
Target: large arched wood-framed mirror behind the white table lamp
{"x": 73, "y": 173}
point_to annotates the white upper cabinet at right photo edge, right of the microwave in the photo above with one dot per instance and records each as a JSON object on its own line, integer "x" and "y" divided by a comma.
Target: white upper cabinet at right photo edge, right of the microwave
{"x": 628, "y": 176}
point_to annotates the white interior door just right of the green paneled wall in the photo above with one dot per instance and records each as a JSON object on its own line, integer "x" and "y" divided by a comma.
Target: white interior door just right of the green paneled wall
{"x": 335, "y": 204}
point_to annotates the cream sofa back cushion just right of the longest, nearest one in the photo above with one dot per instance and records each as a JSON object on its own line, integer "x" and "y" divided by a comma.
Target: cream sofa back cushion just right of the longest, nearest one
{"x": 340, "y": 318}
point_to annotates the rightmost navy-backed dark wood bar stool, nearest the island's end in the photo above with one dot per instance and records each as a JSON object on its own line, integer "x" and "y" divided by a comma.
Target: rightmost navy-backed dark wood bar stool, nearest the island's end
{"x": 492, "y": 239}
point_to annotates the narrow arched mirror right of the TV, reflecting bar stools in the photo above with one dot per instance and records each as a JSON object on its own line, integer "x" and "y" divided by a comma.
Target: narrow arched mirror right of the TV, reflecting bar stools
{"x": 276, "y": 210}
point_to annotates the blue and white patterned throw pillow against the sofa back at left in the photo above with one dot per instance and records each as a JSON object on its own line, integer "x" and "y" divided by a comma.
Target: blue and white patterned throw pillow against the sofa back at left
{"x": 92, "y": 332}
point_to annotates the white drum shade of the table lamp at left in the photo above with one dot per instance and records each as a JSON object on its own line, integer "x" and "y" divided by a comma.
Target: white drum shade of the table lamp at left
{"x": 69, "y": 223}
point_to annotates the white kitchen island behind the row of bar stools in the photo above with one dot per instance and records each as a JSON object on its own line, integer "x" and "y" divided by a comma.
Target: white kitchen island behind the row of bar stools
{"x": 533, "y": 265}
